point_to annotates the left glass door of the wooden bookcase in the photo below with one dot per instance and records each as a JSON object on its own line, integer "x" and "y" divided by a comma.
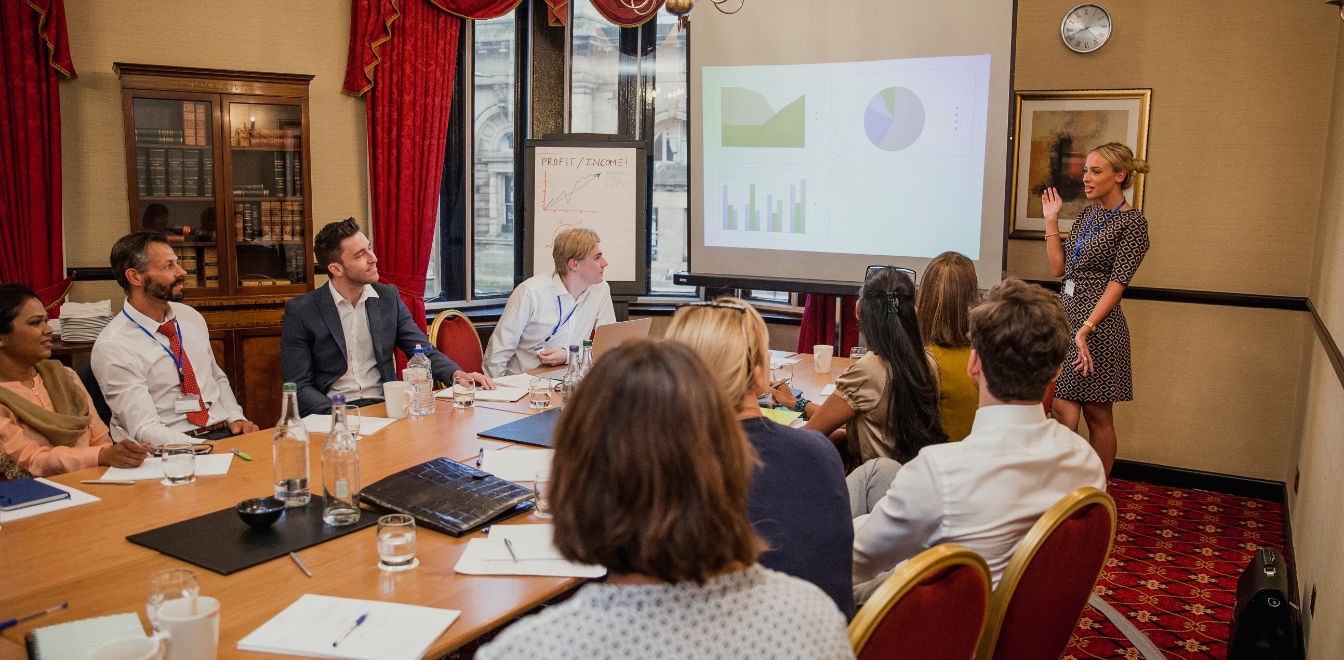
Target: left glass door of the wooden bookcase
{"x": 175, "y": 182}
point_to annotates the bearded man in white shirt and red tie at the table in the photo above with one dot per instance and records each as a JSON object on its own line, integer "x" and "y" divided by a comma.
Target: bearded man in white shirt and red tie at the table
{"x": 154, "y": 362}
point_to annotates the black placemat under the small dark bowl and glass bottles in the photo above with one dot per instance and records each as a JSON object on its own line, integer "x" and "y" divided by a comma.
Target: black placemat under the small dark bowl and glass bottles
{"x": 225, "y": 545}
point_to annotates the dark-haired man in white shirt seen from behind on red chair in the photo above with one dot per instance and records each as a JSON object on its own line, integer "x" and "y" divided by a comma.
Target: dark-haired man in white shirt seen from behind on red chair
{"x": 987, "y": 491}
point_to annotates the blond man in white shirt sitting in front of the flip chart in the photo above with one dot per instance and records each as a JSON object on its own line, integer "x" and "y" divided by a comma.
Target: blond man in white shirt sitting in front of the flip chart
{"x": 553, "y": 311}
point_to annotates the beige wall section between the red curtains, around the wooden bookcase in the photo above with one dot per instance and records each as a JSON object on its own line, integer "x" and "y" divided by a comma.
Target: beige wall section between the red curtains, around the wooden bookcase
{"x": 303, "y": 37}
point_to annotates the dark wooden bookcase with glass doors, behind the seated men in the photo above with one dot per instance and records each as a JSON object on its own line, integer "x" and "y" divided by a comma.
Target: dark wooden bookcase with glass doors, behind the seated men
{"x": 220, "y": 161}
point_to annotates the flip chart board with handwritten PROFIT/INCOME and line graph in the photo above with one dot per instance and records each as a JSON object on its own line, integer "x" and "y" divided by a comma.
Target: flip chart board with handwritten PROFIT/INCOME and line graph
{"x": 597, "y": 186}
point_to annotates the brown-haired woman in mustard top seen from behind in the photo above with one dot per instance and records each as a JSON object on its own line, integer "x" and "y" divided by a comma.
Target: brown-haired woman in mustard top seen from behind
{"x": 947, "y": 295}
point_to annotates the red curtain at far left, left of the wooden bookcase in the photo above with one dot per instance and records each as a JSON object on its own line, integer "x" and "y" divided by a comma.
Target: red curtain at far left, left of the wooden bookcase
{"x": 33, "y": 50}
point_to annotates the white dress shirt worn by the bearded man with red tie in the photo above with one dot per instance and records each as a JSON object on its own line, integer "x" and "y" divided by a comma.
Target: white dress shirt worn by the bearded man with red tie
{"x": 139, "y": 378}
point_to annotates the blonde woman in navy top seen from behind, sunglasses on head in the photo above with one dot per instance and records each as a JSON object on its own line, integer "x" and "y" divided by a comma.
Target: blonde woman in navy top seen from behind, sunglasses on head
{"x": 799, "y": 502}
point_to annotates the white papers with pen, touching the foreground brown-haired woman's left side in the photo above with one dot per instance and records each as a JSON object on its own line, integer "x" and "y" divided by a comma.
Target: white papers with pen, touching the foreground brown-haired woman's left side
{"x": 537, "y": 554}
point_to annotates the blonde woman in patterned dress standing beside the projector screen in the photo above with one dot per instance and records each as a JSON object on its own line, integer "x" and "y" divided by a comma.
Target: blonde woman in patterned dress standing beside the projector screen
{"x": 1104, "y": 251}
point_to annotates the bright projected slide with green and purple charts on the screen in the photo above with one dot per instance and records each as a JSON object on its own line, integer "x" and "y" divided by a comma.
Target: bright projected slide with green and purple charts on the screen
{"x": 861, "y": 158}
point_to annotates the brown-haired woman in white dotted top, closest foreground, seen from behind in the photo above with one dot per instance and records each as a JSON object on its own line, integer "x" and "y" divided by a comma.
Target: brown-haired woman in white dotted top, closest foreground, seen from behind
{"x": 650, "y": 481}
